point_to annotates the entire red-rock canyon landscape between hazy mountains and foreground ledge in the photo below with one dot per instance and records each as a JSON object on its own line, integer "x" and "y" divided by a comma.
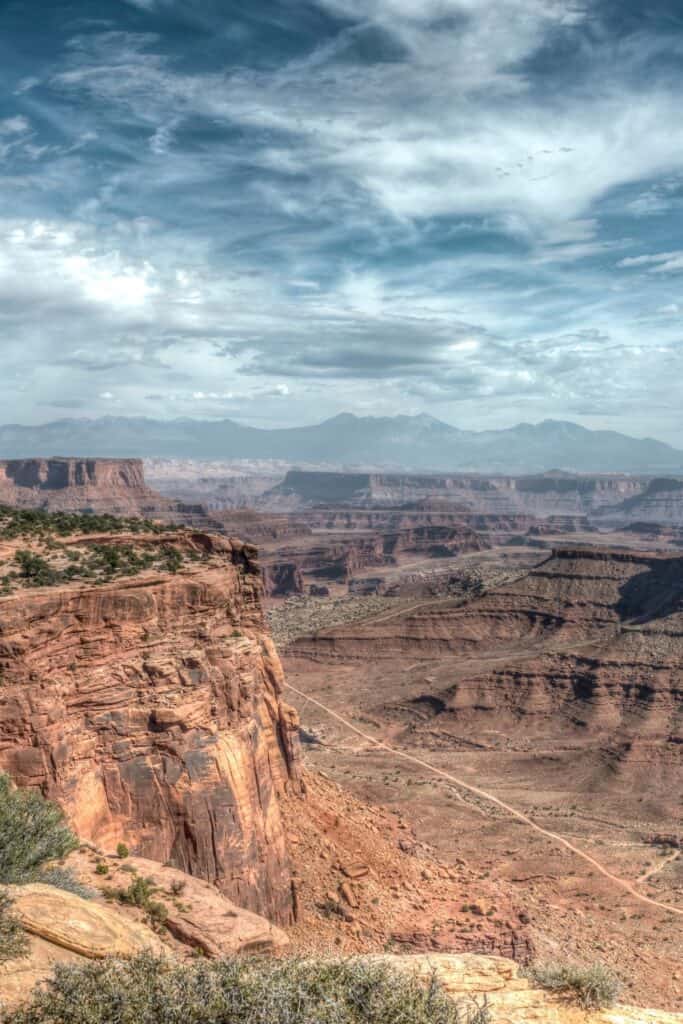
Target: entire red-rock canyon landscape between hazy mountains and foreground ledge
{"x": 528, "y": 647}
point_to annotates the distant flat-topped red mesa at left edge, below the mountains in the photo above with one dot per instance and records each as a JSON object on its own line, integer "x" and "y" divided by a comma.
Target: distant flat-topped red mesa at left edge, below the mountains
{"x": 114, "y": 486}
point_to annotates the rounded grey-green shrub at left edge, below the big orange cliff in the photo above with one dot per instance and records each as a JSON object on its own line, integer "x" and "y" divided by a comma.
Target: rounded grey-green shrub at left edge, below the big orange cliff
{"x": 33, "y": 832}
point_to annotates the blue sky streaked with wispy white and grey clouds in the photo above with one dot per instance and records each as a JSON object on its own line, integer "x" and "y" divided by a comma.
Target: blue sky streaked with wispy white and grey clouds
{"x": 280, "y": 210}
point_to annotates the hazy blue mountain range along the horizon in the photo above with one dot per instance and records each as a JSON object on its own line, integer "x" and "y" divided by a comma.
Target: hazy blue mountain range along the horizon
{"x": 402, "y": 443}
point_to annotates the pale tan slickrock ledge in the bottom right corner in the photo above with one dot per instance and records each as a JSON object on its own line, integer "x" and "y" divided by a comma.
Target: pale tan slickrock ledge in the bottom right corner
{"x": 511, "y": 999}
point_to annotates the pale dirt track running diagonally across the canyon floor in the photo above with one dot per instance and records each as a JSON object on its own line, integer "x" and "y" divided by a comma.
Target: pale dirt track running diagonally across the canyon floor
{"x": 623, "y": 884}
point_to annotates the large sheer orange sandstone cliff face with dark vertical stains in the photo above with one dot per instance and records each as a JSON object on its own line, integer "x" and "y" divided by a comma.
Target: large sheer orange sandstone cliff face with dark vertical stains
{"x": 150, "y": 709}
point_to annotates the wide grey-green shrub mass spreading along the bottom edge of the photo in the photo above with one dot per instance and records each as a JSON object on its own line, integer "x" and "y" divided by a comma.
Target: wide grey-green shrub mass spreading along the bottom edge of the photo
{"x": 241, "y": 992}
